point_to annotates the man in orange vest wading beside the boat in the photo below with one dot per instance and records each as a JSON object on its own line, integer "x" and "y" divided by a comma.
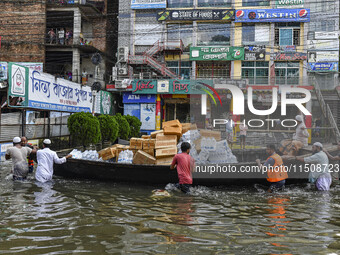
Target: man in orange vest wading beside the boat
{"x": 276, "y": 171}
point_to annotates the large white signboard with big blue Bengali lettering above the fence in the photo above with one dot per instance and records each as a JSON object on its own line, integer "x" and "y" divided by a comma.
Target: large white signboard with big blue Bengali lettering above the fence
{"x": 42, "y": 91}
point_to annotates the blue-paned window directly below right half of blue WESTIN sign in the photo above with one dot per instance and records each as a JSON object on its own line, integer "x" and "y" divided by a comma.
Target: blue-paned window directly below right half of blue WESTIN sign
{"x": 287, "y": 34}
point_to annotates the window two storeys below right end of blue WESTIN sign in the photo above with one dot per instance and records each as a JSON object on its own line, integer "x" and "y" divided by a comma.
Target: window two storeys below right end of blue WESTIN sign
{"x": 287, "y": 73}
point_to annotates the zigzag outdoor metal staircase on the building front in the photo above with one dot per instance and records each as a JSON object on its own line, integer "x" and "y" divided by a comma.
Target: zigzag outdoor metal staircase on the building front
{"x": 149, "y": 57}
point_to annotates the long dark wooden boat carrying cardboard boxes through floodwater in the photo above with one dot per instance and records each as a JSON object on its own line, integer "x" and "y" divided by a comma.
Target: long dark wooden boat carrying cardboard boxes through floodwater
{"x": 162, "y": 175}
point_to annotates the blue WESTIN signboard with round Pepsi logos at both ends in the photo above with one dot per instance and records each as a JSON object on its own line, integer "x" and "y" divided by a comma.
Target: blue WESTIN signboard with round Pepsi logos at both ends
{"x": 272, "y": 15}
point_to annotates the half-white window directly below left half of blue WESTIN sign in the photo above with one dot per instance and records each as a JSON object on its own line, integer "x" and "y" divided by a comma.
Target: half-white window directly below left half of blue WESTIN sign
{"x": 255, "y": 34}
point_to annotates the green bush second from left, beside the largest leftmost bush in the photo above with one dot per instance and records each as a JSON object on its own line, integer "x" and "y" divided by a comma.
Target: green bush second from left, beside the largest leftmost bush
{"x": 109, "y": 127}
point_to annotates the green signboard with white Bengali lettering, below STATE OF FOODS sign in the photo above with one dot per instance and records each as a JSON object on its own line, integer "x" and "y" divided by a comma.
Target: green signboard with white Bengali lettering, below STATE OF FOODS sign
{"x": 216, "y": 53}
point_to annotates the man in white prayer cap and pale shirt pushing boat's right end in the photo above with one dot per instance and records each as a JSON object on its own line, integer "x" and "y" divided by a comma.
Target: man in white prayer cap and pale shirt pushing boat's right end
{"x": 318, "y": 168}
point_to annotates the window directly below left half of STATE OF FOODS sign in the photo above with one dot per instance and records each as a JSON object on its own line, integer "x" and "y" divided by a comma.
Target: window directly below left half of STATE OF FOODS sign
{"x": 183, "y": 32}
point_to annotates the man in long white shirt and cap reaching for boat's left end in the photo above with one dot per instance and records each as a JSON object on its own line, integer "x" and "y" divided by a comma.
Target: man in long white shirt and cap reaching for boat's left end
{"x": 46, "y": 158}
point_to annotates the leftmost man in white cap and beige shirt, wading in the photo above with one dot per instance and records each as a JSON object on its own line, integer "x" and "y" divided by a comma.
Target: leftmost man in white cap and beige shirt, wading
{"x": 19, "y": 155}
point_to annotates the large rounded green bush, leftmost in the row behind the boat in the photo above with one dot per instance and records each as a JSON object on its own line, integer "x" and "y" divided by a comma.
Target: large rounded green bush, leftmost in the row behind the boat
{"x": 84, "y": 127}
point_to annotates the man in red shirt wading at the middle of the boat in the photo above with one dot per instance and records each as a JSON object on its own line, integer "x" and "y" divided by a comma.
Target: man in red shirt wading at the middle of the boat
{"x": 185, "y": 166}
